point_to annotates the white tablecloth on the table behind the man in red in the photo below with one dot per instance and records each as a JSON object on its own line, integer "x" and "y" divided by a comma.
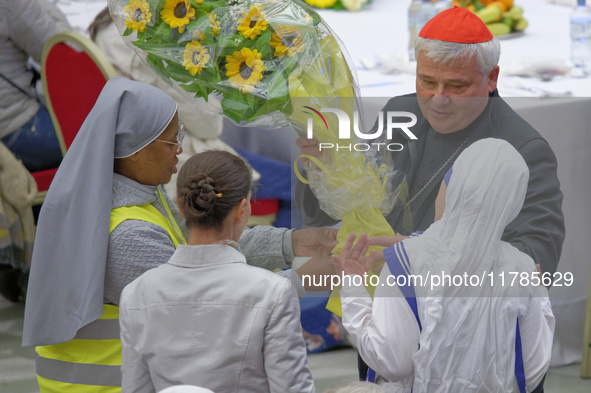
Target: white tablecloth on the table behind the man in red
{"x": 382, "y": 28}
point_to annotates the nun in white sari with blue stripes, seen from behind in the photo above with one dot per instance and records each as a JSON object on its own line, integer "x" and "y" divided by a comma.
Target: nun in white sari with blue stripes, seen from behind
{"x": 469, "y": 327}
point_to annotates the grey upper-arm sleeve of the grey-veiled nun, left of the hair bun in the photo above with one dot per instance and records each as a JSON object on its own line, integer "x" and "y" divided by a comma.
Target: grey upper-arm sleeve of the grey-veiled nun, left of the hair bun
{"x": 134, "y": 248}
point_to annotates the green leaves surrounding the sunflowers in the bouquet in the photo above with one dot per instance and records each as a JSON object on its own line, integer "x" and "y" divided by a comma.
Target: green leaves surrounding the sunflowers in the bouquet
{"x": 165, "y": 49}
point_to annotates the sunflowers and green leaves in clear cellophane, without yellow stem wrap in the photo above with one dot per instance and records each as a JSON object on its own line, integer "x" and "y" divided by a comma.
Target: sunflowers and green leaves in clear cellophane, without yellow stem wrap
{"x": 244, "y": 51}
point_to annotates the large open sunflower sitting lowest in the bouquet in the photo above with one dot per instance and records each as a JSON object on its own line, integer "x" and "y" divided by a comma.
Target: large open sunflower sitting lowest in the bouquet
{"x": 245, "y": 69}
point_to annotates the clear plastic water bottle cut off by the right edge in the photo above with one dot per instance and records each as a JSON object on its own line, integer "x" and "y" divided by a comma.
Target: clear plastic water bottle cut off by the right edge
{"x": 580, "y": 34}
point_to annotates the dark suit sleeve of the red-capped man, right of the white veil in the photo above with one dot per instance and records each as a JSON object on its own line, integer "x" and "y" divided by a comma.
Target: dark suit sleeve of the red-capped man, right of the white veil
{"x": 538, "y": 230}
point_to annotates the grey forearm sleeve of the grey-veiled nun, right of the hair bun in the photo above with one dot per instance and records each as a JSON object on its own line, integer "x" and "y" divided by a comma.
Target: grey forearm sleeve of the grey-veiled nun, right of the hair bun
{"x": 267, "y": 247}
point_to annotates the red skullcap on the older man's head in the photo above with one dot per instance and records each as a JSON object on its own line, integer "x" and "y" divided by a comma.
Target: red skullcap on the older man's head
{"x": 456, "y": 24}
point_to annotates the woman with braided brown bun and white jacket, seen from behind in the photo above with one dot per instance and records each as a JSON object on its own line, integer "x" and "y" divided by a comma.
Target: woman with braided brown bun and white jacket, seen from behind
{"x": 207, "y": 318}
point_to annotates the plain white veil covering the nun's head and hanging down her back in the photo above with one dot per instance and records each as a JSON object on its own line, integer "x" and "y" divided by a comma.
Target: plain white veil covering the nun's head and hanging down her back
{"x": 468, "y": 337}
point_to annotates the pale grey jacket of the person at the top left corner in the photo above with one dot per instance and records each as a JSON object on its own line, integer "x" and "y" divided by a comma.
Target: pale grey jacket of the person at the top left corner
{"x": 25, "y": 26}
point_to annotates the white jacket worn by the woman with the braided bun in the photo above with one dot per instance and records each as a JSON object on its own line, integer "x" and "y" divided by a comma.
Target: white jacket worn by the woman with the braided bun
{"x": 206, "y": 318}
